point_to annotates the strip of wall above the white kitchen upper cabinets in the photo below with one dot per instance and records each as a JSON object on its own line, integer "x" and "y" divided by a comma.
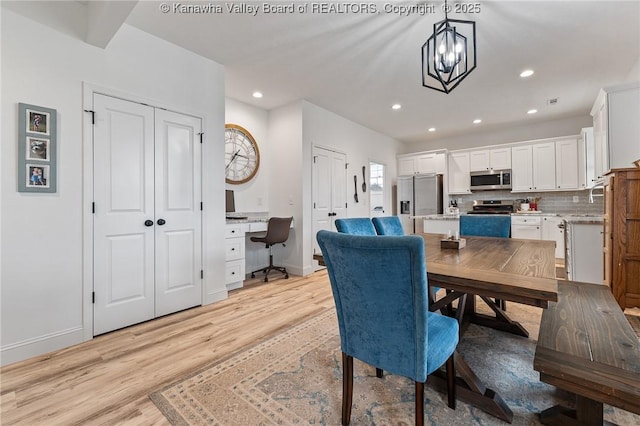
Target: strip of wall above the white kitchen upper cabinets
{"x": 543, "y": 130}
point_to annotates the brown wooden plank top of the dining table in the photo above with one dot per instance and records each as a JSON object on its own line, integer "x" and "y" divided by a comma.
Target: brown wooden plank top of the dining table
{"x": 506, "y": 268}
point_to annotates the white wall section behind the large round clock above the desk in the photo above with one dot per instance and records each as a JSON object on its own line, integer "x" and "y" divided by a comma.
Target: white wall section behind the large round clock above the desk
{"x": 252, "y": 197}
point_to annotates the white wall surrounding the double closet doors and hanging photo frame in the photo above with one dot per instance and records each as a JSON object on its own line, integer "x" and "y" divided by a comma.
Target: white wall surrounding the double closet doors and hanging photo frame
{"x": 45, "y": 302}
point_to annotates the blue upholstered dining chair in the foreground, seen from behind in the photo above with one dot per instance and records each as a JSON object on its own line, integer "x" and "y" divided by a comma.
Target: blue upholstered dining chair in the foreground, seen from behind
{"x": 380, "y": 291}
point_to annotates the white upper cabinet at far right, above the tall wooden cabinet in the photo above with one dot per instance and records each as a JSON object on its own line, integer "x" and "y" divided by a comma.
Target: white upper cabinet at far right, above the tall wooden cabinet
{"x": 616, "y": 127}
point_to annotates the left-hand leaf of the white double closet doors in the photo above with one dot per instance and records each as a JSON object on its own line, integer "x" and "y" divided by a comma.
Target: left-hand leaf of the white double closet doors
{"x": 124, "y": 246}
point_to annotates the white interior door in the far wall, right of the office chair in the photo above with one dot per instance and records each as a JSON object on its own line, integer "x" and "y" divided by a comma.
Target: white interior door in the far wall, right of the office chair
{"x": 329, "y": 188}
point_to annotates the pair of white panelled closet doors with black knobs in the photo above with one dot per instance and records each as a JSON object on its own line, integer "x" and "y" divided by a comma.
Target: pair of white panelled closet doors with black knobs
{"x": 147, "y": 258}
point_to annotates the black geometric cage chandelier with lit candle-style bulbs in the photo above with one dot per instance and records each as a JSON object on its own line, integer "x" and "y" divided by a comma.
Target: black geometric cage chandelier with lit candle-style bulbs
{"x": 449, "y": 55}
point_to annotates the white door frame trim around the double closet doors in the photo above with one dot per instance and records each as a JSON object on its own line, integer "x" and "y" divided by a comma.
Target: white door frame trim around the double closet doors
{"x": 88, "y": 89}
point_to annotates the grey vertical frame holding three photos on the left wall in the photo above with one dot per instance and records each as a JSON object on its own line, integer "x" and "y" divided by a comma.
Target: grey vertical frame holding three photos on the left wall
{"x": 37, "y": 153}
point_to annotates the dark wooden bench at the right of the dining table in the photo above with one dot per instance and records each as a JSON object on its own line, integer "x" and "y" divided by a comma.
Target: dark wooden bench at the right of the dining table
{"x": 586, "y": 346}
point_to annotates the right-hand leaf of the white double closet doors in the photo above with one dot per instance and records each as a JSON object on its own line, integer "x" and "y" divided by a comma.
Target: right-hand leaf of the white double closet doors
{"x": 177, "y": 211}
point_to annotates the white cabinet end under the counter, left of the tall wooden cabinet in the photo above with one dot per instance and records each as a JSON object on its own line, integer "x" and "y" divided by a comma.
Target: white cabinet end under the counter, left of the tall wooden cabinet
{"x": 584, "y": 261}
